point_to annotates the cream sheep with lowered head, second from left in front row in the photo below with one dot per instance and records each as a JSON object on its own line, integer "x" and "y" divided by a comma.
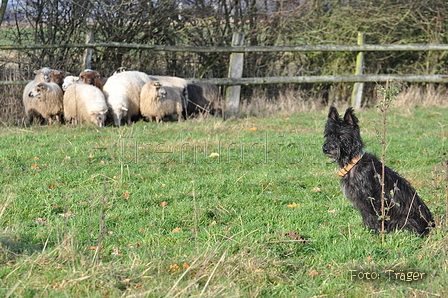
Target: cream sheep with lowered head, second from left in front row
{"x": 85, "y": 103}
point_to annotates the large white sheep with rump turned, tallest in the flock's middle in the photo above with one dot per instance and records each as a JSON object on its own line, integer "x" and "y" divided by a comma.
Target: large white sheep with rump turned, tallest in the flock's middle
{"x": 122, "y": 92}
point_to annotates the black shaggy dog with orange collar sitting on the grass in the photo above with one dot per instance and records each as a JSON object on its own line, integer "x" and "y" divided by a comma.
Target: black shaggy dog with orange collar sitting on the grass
{"x": 360, "y": 175}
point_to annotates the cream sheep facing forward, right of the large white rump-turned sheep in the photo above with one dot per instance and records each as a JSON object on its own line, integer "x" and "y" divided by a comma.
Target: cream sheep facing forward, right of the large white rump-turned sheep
{"x": 160, "y": 100}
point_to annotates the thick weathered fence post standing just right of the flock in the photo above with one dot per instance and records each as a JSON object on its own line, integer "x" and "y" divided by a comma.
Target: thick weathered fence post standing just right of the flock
{"x": 235, "y": 71}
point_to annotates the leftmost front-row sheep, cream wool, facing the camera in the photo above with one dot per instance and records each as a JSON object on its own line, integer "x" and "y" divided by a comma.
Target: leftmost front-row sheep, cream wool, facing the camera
{"x": 44, "y": 99}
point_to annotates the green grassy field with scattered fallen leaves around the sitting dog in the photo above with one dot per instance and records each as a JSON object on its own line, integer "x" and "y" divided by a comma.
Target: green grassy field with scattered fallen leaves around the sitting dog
{"x": 205, "y": 208}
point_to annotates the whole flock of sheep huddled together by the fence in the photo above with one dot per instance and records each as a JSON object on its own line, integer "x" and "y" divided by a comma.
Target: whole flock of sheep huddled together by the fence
{"x": 125, "y": 96}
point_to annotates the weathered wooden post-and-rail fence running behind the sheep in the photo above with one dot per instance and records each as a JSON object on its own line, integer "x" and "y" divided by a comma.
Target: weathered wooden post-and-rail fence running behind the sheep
{"x": 237, "y": 50}
